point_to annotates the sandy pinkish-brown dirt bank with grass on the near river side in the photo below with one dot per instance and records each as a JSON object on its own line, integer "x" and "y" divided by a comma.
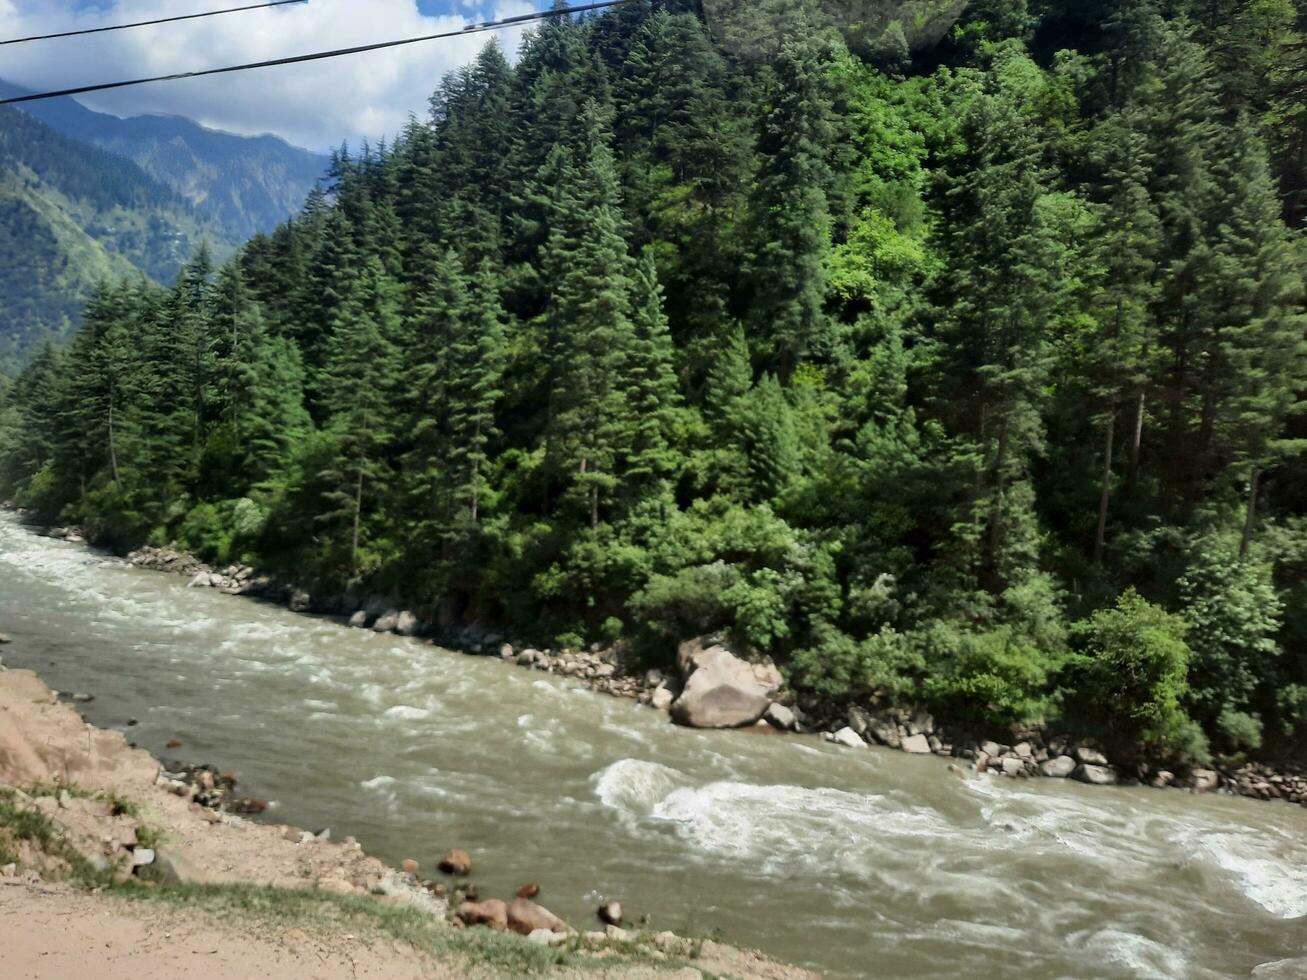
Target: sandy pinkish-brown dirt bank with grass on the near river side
{"x": 110, "y": 870}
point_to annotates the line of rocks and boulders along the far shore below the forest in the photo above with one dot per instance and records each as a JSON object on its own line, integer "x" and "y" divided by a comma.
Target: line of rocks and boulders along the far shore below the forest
{"x": 716, "y": 685}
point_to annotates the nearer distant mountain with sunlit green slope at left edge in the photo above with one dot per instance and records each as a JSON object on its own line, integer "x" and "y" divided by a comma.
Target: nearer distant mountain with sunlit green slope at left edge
{"x": 73, "y": 215}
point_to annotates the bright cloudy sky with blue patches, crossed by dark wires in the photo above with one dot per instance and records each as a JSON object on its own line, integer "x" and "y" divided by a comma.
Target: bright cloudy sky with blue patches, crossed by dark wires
{"x": 314, "y": 105}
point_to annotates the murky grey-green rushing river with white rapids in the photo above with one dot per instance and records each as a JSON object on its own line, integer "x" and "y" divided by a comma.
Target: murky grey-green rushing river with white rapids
{"x": 869, "y": 864}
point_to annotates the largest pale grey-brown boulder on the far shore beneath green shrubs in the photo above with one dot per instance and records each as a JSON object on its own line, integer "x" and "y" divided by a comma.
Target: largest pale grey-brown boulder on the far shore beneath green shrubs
{"x": 722, "y": 689}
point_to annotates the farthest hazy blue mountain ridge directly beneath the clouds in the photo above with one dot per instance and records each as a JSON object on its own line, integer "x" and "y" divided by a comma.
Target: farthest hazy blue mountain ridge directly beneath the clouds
{"x": 246, "y": 184}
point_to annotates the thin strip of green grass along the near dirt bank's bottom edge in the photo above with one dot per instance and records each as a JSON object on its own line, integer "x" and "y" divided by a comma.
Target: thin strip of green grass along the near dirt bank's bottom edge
{"x": 483, "y": 952}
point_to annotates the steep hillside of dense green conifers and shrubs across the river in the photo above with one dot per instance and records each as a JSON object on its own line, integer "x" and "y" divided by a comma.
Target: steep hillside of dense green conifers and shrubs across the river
{"x": 968, "y": 377}
